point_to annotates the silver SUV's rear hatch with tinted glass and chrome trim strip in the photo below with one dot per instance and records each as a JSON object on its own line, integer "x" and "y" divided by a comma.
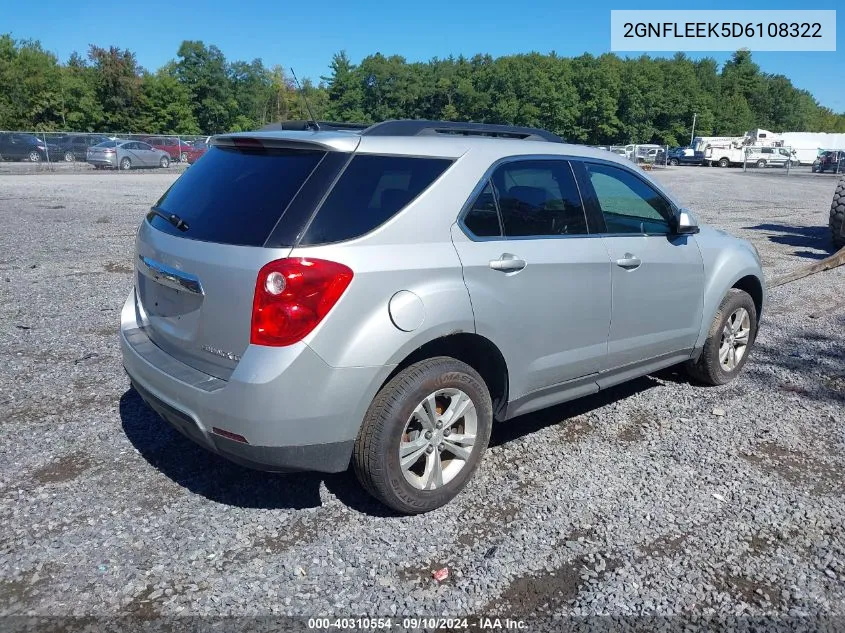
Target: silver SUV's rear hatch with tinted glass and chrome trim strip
{"x": 244, "y": 205}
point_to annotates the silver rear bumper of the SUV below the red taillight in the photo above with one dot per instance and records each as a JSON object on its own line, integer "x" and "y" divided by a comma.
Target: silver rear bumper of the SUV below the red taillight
{"x": 295, "y": 411}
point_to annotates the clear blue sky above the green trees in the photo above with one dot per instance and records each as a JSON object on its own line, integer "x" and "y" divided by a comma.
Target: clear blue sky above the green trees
{"x": 306, "y": 35}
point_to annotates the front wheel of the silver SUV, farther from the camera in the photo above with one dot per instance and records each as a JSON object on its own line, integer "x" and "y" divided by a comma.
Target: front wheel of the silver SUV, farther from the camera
{"x": 731, "y": 336}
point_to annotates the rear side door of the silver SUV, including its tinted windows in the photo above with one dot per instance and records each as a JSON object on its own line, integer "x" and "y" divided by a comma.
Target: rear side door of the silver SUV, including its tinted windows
{"x": 538, "y": 282}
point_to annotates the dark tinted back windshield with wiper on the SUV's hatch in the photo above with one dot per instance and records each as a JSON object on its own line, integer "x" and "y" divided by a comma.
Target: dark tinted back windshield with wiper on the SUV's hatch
{"x": 236, "y": 196}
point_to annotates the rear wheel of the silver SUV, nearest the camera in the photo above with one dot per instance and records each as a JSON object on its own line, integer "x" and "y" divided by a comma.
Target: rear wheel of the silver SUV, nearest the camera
{"x": 424, "y": 435}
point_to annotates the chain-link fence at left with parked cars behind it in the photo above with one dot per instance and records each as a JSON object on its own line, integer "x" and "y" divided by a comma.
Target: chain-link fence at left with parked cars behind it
{"x": 24, "y": 151}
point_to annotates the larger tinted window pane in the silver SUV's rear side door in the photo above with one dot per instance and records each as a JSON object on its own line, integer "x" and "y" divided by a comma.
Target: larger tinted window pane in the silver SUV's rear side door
{"x": 539, "y": 198}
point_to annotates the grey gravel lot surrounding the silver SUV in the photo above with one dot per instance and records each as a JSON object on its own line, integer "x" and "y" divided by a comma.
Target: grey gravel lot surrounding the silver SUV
{"x": 656, "y": 498}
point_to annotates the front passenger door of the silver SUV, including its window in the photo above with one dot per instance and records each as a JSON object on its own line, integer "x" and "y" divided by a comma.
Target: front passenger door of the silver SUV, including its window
{"x": 657, "y": 276}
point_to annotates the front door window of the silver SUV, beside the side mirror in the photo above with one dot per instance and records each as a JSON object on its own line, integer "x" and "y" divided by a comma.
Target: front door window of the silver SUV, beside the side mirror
{"x": 628, "y": 204}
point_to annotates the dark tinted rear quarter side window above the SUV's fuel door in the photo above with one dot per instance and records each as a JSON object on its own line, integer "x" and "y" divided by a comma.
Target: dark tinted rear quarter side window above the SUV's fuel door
{"x": 371, "y": 190}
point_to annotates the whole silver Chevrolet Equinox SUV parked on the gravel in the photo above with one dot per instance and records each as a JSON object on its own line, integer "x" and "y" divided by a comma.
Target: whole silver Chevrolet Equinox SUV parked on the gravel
{"x": 306, "y": 298}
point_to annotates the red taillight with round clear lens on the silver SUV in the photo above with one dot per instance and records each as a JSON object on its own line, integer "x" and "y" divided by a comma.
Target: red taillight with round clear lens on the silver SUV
{"x": 292, "y": 296}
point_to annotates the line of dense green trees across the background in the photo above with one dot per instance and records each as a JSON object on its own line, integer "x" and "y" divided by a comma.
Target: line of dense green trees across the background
{"x": 586, "y": 99}
